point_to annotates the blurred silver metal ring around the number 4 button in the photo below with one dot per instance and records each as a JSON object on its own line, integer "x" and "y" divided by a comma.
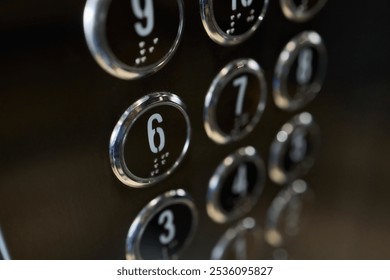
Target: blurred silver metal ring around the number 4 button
{"x": 213, "y": 206}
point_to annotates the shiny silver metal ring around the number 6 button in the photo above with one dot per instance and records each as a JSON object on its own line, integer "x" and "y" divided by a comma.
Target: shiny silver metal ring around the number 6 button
{"x": 124, "y": 125}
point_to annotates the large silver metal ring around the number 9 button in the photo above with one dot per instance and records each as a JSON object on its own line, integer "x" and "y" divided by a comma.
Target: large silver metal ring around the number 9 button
{"x": 94, "y": 18}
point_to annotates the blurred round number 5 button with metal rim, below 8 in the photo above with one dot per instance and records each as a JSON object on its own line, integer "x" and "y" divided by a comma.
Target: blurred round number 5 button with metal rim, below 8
{"x": 294, "y": 149}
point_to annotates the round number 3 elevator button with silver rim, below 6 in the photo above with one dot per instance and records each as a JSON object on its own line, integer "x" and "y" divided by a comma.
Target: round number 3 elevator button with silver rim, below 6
{"x": 163, "y": 228}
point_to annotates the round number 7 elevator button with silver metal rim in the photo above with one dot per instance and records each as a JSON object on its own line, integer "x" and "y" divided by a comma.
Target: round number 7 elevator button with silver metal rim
{"x": 235, "y": 101}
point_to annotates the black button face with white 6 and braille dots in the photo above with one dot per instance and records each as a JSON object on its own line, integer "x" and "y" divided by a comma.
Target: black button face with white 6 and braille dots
{"x": 155, "y": 141}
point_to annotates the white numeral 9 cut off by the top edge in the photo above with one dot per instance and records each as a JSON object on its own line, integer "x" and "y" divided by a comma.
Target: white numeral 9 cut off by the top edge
{"x": 145, "y": 13}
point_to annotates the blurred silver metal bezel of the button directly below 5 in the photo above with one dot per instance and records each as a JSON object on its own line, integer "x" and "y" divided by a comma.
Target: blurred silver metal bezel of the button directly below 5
{"x": 281, "y": 202}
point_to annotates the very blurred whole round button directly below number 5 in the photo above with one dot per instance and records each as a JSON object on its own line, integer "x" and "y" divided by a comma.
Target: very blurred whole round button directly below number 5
{"x": 284, "y": 214}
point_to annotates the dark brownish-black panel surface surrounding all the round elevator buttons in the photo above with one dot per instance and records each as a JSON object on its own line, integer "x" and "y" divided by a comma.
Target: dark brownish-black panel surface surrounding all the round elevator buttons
{"x": 58, "y": 196}
